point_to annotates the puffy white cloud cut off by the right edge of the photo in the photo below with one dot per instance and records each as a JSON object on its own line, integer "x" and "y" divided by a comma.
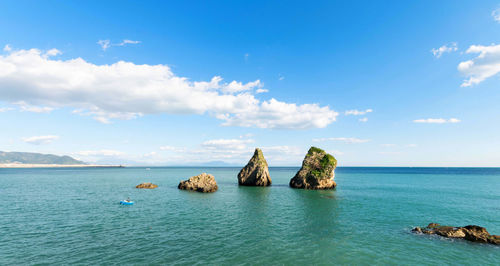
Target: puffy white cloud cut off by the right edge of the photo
{"x": 485, "y": 65}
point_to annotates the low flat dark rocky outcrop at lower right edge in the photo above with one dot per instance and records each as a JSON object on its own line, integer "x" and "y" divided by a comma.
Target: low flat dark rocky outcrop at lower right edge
{"x": 472, "y": 233}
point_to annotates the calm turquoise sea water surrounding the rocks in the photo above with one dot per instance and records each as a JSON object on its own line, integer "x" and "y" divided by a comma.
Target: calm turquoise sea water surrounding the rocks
{"x": 72, "y": 216}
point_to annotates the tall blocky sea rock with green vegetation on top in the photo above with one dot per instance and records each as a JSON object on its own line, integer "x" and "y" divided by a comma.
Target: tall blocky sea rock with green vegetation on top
{"x": 317, "y": 171}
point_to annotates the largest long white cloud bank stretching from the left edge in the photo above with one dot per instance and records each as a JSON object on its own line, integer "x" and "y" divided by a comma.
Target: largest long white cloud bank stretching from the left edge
{"x": 124, "y": 90}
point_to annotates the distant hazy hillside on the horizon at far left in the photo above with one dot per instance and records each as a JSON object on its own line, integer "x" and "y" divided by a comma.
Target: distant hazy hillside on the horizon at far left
{"x": 35, "y": 158}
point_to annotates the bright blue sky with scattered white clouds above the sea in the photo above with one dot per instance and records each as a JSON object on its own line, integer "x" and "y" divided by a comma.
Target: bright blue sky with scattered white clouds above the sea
{"x": 375, "y": 83}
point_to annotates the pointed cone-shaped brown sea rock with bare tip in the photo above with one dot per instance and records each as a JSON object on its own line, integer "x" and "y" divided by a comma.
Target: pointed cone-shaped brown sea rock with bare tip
{"x": 256, "y": 172}
